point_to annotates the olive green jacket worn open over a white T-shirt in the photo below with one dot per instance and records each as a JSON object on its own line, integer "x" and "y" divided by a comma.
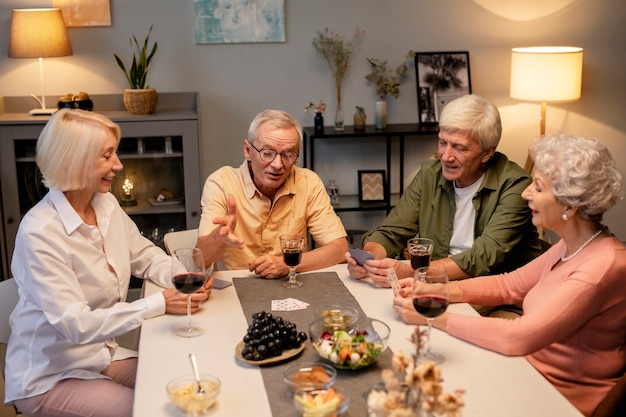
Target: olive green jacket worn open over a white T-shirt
{"x": 505, "y": 237}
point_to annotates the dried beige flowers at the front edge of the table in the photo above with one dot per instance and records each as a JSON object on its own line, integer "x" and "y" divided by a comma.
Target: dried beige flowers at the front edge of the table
{"x": 410, "y": 388}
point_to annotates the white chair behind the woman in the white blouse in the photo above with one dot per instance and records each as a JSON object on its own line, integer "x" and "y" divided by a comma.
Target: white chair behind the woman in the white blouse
{"x": 8, "y": 300}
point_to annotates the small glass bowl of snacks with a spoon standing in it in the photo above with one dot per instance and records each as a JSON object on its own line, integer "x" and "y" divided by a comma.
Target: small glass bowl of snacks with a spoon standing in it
{"x": 184, "y": 392}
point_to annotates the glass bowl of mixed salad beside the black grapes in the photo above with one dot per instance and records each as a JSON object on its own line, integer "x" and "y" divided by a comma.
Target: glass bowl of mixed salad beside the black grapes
{"x": 357, "y": 347}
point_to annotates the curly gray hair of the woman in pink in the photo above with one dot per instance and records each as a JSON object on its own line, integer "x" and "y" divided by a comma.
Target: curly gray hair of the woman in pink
{"x": 582, "y": 171}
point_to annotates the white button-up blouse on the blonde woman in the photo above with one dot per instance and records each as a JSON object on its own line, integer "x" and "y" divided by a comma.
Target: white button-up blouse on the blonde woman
{"x": 73, "y": 279}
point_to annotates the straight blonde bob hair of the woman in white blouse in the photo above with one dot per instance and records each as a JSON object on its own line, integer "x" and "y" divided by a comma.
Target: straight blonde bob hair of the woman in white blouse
{"x": 68, "y": 147}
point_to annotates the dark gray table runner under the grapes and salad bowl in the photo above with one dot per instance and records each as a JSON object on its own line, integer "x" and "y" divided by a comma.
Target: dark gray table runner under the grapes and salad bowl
{"x": 321, "y": 289}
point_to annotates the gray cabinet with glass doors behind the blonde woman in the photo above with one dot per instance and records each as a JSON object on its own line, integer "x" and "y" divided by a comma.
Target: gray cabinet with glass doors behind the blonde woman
{"x": 163, "y": 149}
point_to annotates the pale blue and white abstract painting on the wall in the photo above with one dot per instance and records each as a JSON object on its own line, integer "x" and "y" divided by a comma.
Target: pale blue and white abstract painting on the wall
{"x": 239, "y": 21}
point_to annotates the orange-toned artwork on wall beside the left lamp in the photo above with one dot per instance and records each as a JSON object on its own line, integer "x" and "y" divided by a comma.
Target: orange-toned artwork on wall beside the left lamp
{"x": 84, "y": 13}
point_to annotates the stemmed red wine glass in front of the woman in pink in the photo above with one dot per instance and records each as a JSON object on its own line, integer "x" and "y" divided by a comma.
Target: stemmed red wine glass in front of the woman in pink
{"x": 431, "y": 297}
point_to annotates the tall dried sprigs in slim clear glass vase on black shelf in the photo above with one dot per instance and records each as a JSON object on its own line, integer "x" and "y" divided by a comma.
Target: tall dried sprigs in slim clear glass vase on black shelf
{"x": 338, "y": 52}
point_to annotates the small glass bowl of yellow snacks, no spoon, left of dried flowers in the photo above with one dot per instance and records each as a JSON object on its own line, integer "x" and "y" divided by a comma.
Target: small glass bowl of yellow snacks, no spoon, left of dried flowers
{"x": 328, "y": 402}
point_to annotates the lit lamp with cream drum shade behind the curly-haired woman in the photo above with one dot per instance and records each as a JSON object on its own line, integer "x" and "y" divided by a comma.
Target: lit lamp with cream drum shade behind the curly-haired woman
{"x": 546, "y": 74}
